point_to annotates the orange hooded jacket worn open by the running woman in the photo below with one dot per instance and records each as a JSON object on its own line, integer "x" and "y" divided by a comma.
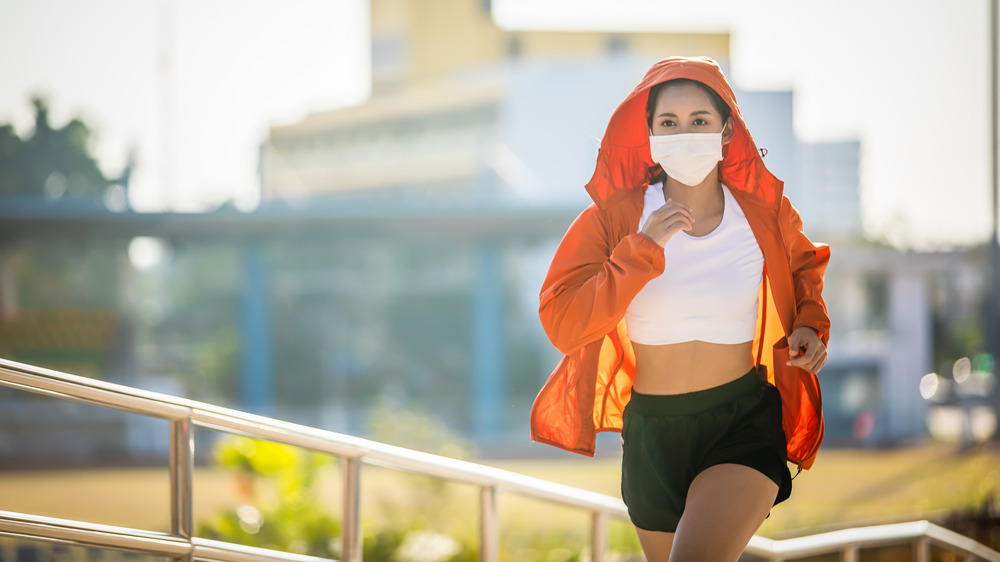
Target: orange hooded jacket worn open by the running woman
{"x": 603, "y": 261}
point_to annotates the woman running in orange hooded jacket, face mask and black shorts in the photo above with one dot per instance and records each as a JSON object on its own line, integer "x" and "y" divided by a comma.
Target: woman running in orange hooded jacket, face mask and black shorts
{"x": 688, "y": 304}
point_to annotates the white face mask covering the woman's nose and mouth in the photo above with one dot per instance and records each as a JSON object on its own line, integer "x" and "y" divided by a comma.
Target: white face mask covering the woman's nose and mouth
{"x": 687, "y": 157}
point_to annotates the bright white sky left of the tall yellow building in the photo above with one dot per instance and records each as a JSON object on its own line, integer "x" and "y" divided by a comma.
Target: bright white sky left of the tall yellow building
{"x": 207, "y": 84}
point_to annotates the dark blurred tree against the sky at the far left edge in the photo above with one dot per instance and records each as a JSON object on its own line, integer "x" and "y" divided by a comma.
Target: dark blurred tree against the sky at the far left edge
{"x": 51, "y": 162}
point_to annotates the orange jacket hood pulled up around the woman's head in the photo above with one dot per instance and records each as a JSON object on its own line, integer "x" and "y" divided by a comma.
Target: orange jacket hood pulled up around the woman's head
{"x": 624, "y": 162}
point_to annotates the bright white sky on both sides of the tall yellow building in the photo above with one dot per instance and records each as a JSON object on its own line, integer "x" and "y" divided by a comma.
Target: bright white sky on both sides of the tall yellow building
{"x": 194, "y": 97}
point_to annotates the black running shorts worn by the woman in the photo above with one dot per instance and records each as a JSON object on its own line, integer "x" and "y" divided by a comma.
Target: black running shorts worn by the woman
{"x": 667, "y": 440}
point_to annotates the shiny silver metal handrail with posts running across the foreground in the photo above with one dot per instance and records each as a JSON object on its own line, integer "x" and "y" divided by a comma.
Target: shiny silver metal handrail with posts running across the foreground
{"x": 180, "y": 544}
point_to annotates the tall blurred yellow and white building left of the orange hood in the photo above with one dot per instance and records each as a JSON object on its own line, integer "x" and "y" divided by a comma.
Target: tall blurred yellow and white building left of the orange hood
{"x": 455, "y": 98}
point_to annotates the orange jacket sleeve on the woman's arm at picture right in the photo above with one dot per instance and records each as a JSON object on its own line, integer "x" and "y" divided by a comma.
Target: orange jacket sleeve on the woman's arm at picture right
{"x": 808, "y": 262}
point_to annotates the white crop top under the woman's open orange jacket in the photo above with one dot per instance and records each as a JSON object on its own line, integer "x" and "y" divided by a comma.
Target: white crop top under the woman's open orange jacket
{"x": 709, "y": 288}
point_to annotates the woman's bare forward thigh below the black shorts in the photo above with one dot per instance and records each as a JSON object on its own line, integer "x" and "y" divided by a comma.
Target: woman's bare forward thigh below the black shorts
{"x": 726, "y": 504}
